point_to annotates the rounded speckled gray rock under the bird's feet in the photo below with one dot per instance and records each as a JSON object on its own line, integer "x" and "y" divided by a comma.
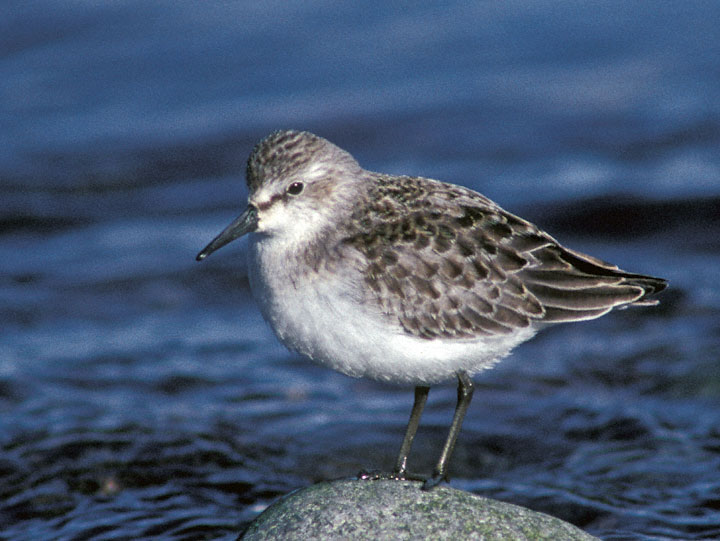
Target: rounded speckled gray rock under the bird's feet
{"x": 386, "y": 509}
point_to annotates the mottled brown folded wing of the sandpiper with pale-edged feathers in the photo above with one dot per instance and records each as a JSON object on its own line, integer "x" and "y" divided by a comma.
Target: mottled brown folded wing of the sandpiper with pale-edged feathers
{"x": 448, "y": 262}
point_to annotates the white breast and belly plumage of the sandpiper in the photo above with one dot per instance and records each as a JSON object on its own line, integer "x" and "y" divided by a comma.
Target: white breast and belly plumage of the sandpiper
{"x": 322, "y": 316}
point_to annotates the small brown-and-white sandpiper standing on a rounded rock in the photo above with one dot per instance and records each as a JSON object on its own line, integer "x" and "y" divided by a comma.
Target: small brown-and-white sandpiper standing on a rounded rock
{"x": 404, "y": 279}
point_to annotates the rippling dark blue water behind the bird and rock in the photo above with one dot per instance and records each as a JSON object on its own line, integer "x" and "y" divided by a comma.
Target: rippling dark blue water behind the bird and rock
{"x": 142, "y": 396}
